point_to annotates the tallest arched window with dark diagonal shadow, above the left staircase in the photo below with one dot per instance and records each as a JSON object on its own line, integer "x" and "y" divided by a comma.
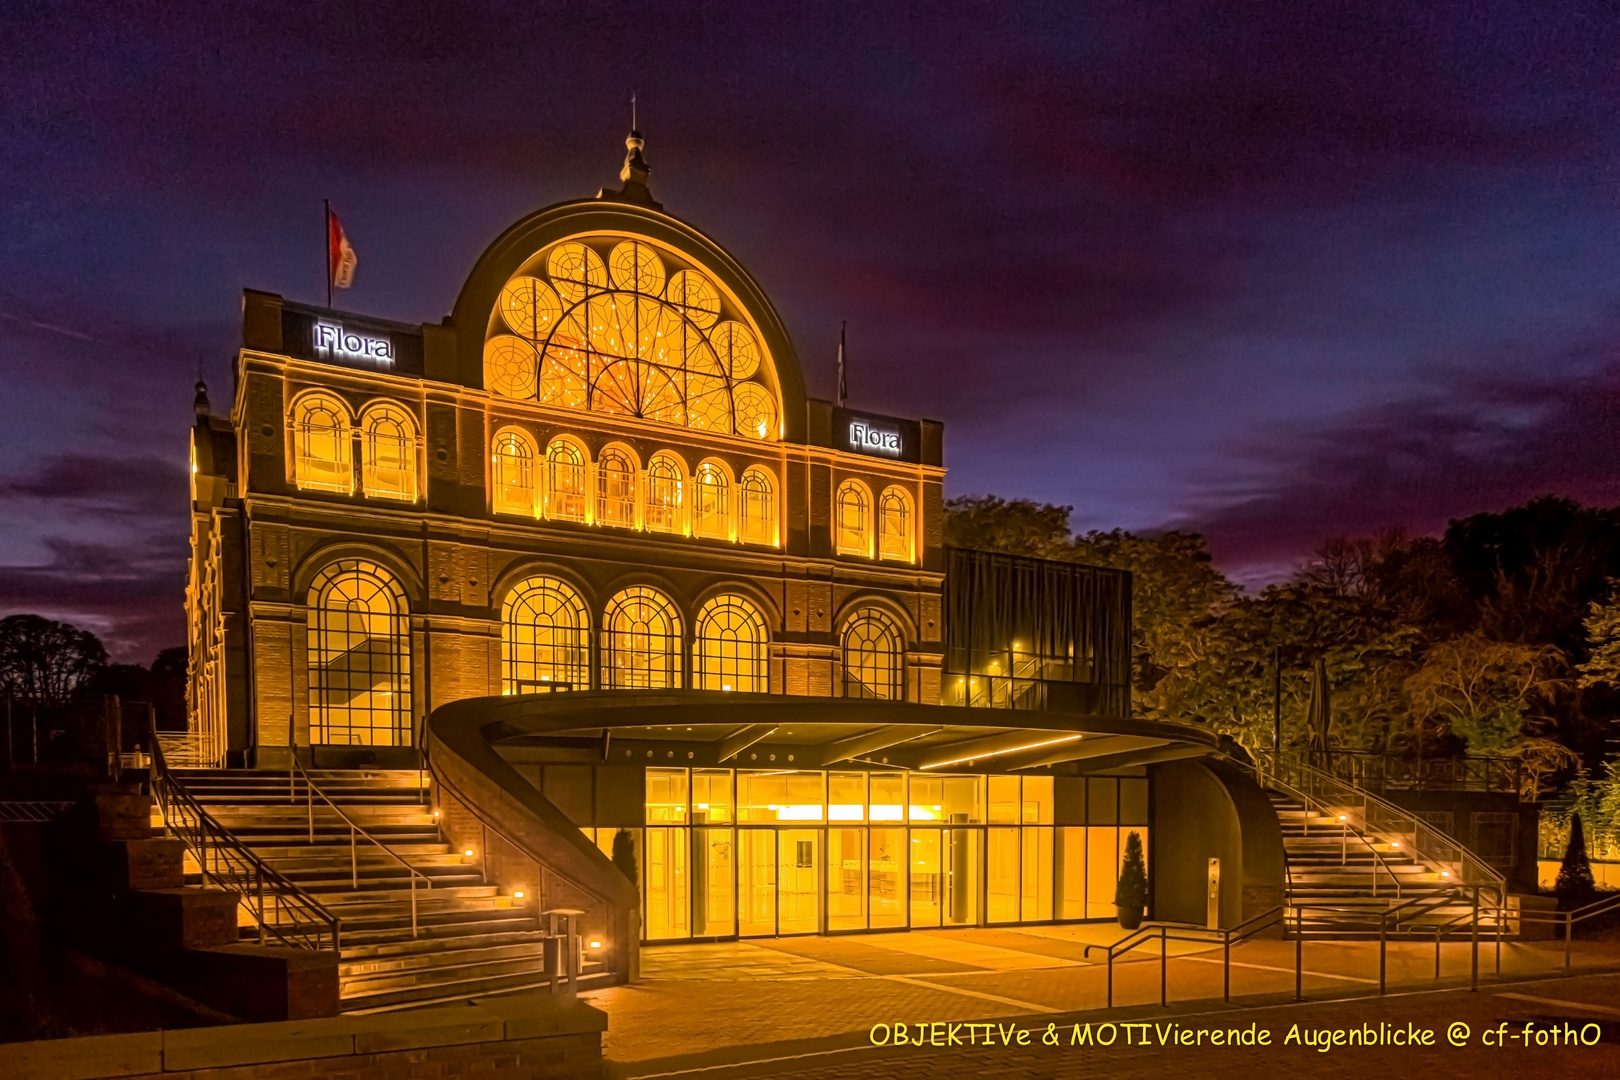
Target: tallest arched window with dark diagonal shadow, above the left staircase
{"x": 359, "y": 658}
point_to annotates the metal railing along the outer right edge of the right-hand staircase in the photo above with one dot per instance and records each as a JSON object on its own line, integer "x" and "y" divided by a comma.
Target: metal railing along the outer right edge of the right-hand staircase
{"x": 1384, "y": 819}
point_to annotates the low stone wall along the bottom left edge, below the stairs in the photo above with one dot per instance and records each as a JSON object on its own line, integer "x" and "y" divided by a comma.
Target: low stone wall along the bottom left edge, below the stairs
{"x": 522, "y": 1037}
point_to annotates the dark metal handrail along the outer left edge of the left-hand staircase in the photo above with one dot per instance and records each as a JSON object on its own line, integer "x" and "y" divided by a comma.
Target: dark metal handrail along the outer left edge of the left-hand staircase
{"x": 229, "y": 864}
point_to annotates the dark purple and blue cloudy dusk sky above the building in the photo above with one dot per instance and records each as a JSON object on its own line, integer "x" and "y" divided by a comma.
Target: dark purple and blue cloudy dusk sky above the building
{"x": 1266, "y": 271}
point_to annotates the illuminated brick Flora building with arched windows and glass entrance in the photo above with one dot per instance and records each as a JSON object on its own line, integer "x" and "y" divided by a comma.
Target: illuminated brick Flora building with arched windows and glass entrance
{"x": 602, "y": 474}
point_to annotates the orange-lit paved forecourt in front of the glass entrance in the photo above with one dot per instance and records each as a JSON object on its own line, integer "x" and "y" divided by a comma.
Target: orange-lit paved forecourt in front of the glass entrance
{"x": 720, "y": 1005}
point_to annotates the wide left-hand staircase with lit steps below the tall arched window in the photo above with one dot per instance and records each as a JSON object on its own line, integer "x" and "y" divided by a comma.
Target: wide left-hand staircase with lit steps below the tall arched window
{"x": 471, "y": 940}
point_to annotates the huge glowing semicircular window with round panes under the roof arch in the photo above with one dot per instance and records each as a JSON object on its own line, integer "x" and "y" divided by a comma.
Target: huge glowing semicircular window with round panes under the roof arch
{"x": 618, "y": 326}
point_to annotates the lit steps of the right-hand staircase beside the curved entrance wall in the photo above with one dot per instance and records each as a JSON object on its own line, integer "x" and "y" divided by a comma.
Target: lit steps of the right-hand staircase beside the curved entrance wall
{"x": 1331, "y": 864}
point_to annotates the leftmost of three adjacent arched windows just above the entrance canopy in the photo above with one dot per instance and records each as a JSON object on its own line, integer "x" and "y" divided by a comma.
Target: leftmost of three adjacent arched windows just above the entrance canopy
{"x": 545, "y": 639}
